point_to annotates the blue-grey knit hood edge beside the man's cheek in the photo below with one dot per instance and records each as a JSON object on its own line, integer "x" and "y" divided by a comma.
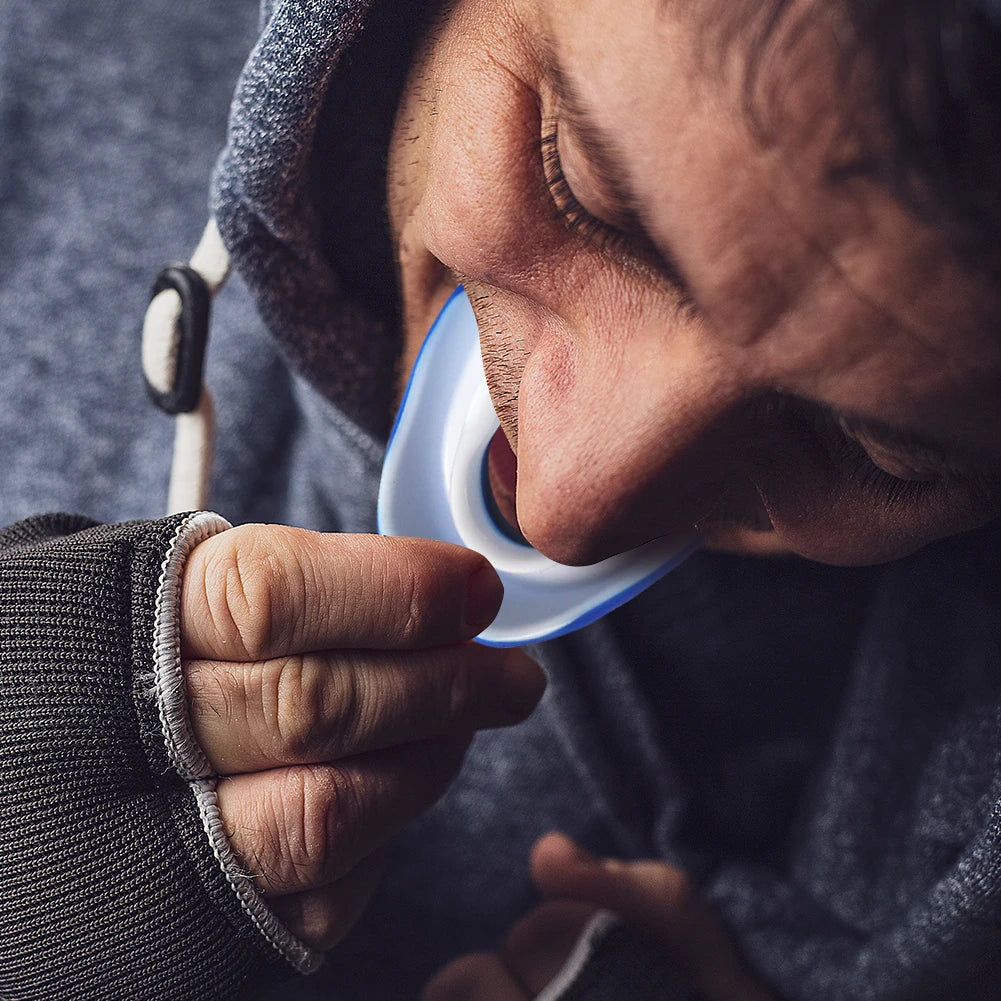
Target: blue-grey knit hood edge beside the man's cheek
{"x": 299, "y": 192}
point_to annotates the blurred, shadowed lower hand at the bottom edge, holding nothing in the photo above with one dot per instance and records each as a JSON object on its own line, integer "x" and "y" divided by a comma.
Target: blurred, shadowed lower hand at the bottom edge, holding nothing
{"x": 655, "y": 898}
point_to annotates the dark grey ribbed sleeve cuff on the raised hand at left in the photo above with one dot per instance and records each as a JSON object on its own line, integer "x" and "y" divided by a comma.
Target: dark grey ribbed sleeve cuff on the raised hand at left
{"x": 111, "y": 888}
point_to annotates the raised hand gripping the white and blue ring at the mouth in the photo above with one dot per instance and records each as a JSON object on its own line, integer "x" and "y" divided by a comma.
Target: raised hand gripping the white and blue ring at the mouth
{"x": 331, "y": 681}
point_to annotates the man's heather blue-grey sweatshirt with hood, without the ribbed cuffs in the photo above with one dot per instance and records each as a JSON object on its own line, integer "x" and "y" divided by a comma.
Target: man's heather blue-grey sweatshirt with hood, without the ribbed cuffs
{"x": 820, "y": 746}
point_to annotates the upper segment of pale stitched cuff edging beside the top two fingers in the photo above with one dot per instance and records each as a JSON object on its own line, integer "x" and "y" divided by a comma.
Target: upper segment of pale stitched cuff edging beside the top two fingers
{"x": 184, "y": 750}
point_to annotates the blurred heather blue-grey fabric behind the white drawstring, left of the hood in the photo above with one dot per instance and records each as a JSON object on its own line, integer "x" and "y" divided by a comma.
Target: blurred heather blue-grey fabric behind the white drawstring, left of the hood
{"x": 112, "y": 116}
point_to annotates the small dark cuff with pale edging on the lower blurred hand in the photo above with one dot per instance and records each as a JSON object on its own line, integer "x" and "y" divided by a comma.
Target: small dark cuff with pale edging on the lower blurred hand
{"x": 613, "y": 963}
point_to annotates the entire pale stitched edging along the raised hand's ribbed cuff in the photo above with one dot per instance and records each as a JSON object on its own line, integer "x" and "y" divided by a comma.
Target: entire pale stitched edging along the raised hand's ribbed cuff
{"x": 183, "y": 748}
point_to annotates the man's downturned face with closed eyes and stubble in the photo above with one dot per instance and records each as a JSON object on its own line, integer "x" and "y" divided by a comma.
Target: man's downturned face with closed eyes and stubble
{"x": 684, "y": 325}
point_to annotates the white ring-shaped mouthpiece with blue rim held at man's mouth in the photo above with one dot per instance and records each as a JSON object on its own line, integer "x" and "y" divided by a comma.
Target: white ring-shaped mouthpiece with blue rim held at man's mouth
{"x": 433, "y": 488}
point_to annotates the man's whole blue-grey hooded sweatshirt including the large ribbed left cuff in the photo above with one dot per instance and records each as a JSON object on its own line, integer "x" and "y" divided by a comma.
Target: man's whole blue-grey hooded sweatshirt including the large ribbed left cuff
{"x": 819, "y": 746}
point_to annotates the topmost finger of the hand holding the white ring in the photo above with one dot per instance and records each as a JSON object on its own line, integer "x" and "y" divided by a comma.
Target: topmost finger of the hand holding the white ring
{"x": 260, "y": 592}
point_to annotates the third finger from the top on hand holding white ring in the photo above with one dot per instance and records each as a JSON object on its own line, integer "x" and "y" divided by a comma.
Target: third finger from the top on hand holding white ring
{"x": 300, "y": 828}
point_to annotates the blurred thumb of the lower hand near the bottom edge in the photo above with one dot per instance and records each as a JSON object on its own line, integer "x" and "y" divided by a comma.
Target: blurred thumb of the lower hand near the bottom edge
{"x": 661, "y": 901}
